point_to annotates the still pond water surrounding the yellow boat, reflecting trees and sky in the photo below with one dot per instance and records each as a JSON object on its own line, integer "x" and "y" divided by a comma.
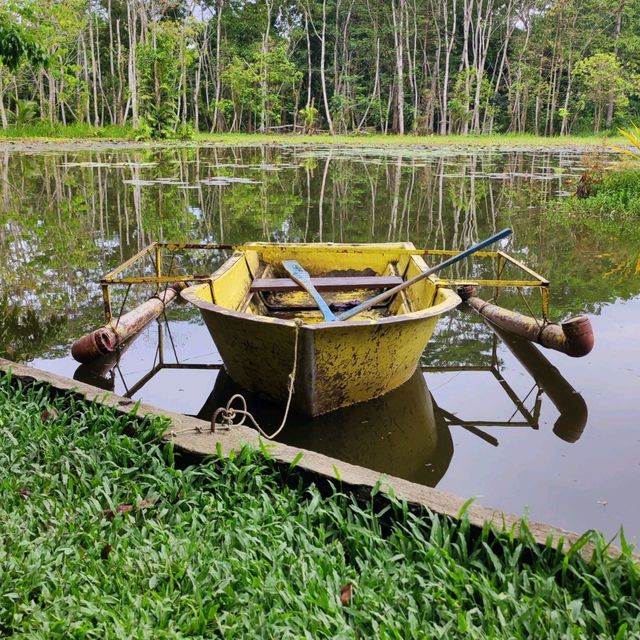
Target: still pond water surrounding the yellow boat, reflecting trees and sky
{"x": 524, "y": 430}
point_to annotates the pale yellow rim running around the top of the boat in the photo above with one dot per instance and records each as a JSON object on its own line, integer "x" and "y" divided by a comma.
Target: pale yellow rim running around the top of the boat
{"x": 451, "y": 301}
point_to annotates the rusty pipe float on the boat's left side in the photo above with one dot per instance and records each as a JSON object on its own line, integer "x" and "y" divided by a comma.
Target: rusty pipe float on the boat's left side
{"x": 109, "y": 337}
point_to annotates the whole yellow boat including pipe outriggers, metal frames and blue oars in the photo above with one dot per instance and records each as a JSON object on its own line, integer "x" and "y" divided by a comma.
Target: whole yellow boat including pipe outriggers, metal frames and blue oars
{"x": 281, "y": 314}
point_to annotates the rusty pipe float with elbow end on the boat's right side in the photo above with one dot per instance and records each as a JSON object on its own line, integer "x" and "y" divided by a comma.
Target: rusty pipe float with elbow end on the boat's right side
{"x": 573, "y": 337}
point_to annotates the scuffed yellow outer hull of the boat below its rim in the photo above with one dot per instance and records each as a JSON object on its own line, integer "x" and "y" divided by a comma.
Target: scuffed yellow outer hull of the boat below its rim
{"x": 336, "y": 366}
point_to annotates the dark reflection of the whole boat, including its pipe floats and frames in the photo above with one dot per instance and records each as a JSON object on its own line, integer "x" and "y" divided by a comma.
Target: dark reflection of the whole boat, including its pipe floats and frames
{"x": 405, "y": 433}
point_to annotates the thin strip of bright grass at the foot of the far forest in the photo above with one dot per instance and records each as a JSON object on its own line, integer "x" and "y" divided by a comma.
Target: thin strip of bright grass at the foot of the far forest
{"x": 45, "y": 131}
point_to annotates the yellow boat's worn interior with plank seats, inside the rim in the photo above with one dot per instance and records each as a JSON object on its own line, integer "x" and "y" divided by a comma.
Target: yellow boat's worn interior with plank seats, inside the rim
{"x": 255, "y": 282}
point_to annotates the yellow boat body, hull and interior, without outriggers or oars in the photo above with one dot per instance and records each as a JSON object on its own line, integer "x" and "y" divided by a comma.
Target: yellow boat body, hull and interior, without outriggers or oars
{"x": 266, "y": 327}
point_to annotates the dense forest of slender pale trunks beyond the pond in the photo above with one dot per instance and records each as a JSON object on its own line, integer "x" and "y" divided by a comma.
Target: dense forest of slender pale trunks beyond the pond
{"x": 340, "y": 65}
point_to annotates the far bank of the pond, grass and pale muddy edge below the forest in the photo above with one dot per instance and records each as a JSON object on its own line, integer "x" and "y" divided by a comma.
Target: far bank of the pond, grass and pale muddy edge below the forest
{"x": 81, "y": 138}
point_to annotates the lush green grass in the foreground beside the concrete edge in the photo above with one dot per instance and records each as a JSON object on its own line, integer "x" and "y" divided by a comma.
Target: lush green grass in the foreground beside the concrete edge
{"x": 227, "y": 549}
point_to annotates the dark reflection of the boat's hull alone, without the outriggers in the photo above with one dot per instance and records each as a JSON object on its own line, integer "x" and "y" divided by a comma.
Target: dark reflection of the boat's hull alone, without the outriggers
{"x": 401, "y": 434}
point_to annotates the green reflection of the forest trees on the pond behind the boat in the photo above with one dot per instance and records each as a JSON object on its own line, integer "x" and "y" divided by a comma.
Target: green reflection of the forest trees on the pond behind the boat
{"x": 67, "y": 218}
